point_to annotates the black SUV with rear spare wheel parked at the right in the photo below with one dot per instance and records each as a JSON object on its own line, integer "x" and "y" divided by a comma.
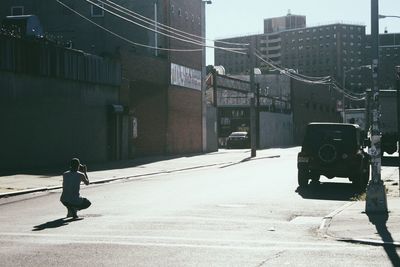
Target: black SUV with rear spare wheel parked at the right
{"x": 333, "y": 150}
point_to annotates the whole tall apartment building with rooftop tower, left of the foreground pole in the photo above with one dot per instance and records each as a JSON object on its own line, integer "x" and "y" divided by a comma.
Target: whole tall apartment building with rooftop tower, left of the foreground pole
{"x": 324, "y": 50}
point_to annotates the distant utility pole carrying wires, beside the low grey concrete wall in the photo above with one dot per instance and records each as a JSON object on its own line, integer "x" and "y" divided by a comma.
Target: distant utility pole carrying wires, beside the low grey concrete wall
{"x": 253, "y": 128}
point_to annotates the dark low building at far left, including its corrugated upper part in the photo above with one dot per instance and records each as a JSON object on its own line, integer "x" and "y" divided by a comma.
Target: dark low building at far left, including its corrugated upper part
{"x": 56, "y": 103}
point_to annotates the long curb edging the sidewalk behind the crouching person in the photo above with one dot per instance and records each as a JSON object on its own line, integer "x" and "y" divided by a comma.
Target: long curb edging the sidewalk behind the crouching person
{"x": 107, "y": 180}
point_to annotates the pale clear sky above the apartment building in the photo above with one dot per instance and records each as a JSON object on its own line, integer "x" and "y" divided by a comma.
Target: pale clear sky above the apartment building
{"x": 229, "y": 18}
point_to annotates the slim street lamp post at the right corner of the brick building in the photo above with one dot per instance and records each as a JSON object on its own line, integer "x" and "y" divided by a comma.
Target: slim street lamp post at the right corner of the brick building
{"x": 203, "y": 76}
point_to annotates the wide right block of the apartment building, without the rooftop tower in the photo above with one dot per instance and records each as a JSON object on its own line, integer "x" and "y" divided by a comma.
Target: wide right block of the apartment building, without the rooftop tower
{"x": 333, "y": 50}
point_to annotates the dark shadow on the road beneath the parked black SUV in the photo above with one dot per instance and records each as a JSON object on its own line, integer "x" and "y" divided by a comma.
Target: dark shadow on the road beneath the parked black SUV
{"x": 329, "y": 191}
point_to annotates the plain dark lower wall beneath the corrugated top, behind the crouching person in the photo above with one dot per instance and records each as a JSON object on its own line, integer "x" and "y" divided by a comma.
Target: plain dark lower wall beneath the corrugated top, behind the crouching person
{"x": 46, "y": 121}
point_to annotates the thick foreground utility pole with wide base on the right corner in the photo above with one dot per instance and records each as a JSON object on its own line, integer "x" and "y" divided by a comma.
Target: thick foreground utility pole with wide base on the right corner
{"x": 376, "y": 193}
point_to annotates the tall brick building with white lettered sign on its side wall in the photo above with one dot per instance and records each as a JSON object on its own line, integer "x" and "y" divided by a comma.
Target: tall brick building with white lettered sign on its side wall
{"x": 160, "y": 90}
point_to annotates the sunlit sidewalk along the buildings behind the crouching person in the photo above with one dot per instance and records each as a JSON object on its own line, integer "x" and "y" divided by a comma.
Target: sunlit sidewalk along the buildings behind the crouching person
{"x": 28, "y": 183}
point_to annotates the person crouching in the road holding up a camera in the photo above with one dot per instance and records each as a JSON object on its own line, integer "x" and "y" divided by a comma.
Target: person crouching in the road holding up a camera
{"x": 70, "y": 196}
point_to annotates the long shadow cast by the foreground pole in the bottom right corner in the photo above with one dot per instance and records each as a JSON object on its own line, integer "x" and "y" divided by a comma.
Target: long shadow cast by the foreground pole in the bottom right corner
{"x": 379, "y": 220}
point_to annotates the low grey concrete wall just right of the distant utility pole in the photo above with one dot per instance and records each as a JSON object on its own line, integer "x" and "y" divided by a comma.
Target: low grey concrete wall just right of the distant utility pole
{"x": 276, "y": 130}
